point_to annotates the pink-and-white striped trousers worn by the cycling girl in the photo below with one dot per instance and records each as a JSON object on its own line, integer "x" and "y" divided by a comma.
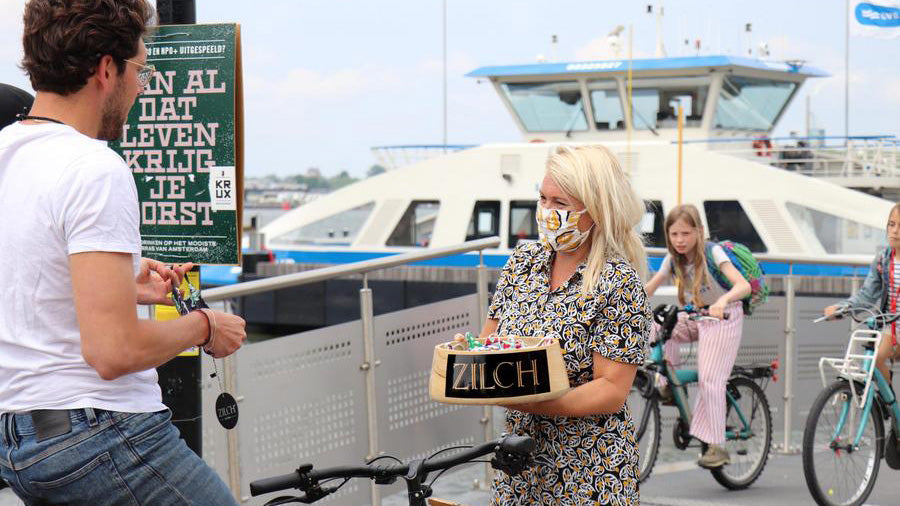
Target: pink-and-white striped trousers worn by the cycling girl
{"x": 717, "y": 350}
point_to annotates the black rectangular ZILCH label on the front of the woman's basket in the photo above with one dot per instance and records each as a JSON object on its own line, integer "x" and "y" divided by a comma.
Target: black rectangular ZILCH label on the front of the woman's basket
{"x": 496, "y": 375}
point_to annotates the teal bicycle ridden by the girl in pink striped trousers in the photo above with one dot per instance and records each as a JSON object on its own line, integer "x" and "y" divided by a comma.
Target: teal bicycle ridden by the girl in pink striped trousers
{"x": 748, "y": 421}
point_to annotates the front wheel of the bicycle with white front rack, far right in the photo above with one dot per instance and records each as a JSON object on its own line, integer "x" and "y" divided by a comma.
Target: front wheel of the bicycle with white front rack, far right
{"x": 835, "y": 473}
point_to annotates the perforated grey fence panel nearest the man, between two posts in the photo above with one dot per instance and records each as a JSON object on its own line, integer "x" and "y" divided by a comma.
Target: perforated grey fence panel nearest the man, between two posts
{"x": 304, "y": 401}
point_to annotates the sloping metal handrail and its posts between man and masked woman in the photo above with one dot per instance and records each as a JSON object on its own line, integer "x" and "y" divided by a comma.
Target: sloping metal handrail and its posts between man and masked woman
{"x": 226, "y": 293}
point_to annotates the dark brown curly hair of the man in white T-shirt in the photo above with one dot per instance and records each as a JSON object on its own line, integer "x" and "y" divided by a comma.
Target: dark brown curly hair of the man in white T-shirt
{"x": 65, "y": 39}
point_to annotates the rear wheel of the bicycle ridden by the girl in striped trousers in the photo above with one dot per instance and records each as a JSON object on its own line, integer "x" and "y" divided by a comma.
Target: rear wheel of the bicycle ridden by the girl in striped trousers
{"x": 748, "y": 426}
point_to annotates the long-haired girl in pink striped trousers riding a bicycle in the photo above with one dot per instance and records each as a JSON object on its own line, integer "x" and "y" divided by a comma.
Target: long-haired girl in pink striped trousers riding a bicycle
{"x": 686, "y": 265}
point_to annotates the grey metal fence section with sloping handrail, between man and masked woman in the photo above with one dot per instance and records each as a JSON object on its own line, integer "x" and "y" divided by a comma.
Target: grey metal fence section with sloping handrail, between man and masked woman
{"x": 345, "y": 393}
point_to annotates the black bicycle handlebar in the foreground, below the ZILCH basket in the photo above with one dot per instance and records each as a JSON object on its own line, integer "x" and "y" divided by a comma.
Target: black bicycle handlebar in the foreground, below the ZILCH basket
{"x": 305, "y": 477}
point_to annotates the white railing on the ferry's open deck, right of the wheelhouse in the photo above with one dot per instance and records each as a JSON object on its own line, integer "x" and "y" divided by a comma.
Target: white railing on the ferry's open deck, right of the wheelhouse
{"x": 855, "y": 159}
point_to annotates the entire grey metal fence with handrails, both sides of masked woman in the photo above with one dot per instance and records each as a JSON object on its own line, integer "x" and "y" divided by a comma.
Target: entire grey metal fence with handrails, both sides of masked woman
{"x": 348, "y": 392}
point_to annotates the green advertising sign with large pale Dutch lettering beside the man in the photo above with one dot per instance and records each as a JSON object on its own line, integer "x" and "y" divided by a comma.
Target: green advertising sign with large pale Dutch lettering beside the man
{"x": 183, "y": 143}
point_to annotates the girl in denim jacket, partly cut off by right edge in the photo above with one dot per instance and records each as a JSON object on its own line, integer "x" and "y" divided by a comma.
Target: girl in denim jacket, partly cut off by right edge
{"x": 880, "y": 291}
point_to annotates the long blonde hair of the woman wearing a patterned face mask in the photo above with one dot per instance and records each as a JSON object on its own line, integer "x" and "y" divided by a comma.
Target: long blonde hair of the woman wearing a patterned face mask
{"x": 592, "y": 175}
